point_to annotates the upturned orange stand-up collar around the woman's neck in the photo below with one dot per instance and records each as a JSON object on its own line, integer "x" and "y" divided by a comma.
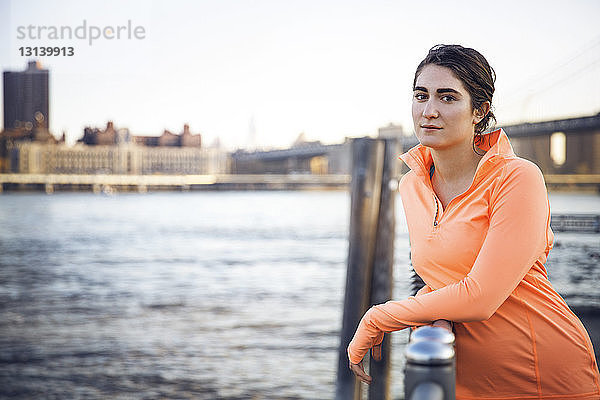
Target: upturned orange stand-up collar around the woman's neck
{"x": 494, "y": 143}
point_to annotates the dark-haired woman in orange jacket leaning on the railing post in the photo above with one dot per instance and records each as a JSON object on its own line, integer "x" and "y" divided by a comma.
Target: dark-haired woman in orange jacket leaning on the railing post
{"x": 479, "y": 223}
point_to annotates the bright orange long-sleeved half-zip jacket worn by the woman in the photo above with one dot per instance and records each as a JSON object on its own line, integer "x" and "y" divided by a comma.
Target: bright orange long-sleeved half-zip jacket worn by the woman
{"x": 482, "y": 259}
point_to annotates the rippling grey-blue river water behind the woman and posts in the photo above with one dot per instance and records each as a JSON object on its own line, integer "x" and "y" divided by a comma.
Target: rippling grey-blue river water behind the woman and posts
{"x": 198, "y": 295}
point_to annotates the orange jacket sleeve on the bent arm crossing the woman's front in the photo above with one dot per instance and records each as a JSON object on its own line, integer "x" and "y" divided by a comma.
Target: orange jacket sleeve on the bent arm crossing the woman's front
{"x": 517, "y": 236}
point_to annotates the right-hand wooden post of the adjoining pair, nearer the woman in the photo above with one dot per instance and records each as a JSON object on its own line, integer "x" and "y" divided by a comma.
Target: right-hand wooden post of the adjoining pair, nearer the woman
{"x": 383, "y": 263}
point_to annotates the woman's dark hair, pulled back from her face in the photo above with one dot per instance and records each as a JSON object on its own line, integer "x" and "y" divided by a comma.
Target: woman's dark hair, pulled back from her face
{"x": 472, "y": 69}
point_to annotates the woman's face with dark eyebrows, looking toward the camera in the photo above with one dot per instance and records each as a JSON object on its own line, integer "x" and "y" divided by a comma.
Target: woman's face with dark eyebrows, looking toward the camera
{"x": 442, "y": 112}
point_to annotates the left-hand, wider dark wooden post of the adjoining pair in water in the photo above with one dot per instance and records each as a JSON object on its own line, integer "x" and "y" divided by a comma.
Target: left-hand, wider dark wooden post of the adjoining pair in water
{"x": 367, "y": 171}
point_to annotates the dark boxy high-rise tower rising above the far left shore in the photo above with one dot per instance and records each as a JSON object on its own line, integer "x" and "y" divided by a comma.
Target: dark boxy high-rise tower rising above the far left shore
{"x": 26, "y": 97}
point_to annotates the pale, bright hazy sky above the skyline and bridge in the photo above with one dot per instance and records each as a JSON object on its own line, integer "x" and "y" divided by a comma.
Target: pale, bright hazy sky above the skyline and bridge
{"x": 257, "y": 74}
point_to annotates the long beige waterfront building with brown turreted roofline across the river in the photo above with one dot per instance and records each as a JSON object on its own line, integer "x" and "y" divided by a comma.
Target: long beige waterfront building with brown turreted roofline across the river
{"x": 109, "y": 151}
